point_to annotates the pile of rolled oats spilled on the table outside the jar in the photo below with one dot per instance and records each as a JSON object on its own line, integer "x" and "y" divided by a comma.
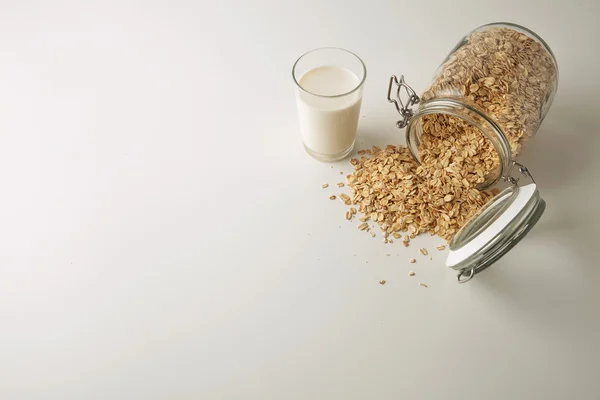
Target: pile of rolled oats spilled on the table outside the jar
{"x": 391, "y": 189}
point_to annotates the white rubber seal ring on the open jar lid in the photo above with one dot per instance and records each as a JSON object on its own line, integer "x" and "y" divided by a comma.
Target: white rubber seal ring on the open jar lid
{"x": 475, "y": 245}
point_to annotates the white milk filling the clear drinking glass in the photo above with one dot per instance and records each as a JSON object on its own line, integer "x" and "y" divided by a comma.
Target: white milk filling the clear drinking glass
{"x": 328, "y": 124}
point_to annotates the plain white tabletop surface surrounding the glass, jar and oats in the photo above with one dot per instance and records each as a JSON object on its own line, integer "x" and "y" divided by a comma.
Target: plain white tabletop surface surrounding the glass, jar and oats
{"x": 164, "y": 235}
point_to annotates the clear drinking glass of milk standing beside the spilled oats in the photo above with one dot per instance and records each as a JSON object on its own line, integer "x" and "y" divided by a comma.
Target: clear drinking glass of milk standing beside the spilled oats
{"x": 329, "y": 85}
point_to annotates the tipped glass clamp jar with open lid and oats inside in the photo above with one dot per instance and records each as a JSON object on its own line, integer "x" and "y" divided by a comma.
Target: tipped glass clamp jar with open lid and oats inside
{"x": 486, "y": 100}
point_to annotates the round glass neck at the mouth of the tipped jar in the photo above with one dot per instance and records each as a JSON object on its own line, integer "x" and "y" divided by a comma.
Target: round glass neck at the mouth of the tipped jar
{"x": 459, "y": 109}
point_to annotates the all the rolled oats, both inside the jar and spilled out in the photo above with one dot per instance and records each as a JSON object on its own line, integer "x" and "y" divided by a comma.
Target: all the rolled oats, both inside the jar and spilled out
{"x": 500, "y": 71}
